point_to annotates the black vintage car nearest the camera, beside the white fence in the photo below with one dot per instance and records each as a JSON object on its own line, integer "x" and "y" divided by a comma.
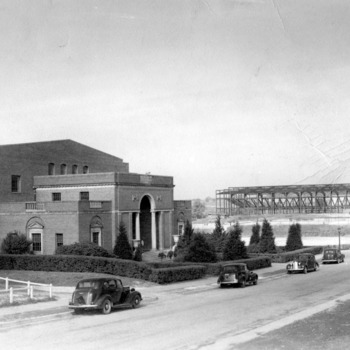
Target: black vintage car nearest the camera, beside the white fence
{"x": 103, "y": 294}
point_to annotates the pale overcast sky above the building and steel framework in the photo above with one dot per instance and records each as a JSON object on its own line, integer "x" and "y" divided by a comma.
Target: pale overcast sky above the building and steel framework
{"x": 216, "y": 93}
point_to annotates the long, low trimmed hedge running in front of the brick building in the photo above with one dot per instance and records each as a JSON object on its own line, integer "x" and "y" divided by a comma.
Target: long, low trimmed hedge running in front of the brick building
{"x": 156, "y": 272}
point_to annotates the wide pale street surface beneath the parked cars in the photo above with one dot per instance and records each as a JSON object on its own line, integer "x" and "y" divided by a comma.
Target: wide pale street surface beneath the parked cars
{"x": 198, "y": 316}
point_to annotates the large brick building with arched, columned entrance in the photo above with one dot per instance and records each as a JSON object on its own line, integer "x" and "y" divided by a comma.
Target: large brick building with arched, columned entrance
{"x": 62, "y": 192}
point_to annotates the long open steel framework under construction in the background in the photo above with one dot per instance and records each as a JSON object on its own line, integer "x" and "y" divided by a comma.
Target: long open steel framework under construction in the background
{"x": 334, "y": 198}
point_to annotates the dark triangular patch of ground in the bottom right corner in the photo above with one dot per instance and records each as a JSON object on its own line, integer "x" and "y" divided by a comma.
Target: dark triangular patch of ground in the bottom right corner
{"x": 326, "y": 330}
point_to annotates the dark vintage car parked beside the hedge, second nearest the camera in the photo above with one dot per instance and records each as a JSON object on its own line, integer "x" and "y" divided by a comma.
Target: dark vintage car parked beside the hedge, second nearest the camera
{"x": 236, "y": 273}
